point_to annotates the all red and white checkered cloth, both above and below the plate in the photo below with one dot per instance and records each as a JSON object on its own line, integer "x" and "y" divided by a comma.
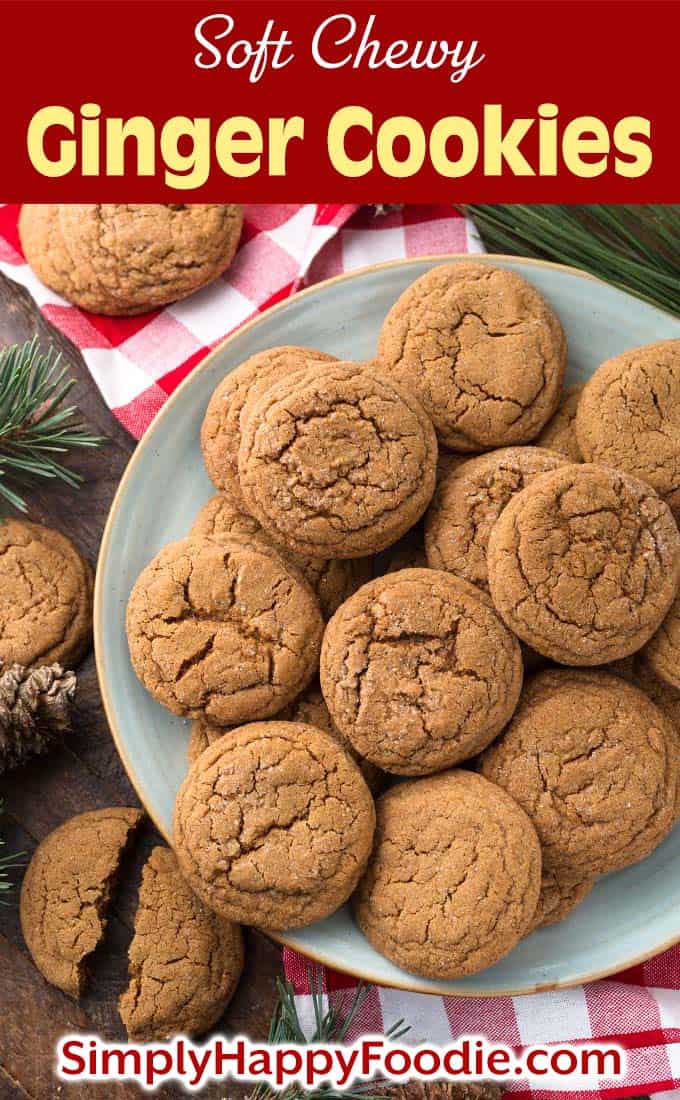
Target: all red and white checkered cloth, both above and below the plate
{"x": 137, "y": 364}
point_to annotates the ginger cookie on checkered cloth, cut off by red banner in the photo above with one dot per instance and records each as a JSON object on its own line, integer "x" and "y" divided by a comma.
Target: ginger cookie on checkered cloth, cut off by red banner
{"x": 123, "y": 260}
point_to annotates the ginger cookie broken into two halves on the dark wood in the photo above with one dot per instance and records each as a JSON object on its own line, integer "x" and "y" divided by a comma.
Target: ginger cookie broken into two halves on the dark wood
{"x": 184, "y": 961}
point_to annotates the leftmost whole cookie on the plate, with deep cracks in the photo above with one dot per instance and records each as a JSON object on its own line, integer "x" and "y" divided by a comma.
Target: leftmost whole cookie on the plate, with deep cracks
{"x": 226, "y": 631}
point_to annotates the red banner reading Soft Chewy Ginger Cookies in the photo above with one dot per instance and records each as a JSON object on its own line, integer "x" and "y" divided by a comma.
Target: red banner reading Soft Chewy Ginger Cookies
{"x": 491, "y": 101}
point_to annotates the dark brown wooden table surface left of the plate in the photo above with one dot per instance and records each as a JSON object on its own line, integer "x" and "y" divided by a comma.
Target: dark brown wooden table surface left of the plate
{"x": 86, "y": 774}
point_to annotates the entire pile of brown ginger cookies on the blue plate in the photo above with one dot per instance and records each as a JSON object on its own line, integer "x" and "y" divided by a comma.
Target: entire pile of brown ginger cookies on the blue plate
{"x": 427, "y": 631}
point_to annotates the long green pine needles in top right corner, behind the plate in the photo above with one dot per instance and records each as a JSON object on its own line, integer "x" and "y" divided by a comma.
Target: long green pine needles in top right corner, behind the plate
{"x": 635, "y": 248}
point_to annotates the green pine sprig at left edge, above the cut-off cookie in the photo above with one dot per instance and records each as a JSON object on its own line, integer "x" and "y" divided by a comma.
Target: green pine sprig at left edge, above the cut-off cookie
{"x": 36, "y": 425}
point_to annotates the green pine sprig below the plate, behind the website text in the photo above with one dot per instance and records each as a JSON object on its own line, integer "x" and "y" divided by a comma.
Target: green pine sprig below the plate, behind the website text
{"x": 332, "y": 1026}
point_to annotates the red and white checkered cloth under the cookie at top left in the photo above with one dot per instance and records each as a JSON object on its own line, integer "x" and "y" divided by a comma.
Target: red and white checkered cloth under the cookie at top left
{"x": 138, "y": 361}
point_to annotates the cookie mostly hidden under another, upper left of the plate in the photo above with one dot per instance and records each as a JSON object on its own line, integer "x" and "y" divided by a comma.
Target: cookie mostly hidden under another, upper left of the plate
{"x": 221, "y": 434}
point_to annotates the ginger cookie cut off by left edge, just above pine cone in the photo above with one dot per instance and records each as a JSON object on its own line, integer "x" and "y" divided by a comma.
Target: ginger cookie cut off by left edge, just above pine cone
{"x": 46, "y": 597}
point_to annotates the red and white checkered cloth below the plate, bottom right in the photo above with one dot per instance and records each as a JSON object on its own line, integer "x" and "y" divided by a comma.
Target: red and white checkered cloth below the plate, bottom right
{"x": 639, "y": 1009}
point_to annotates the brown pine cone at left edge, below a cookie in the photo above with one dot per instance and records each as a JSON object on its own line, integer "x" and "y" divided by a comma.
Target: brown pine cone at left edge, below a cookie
{"x": 35, "y": 711}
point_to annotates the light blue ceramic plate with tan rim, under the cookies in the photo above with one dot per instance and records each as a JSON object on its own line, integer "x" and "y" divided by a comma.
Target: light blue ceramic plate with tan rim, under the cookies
{"x": 630, "y": 916}
